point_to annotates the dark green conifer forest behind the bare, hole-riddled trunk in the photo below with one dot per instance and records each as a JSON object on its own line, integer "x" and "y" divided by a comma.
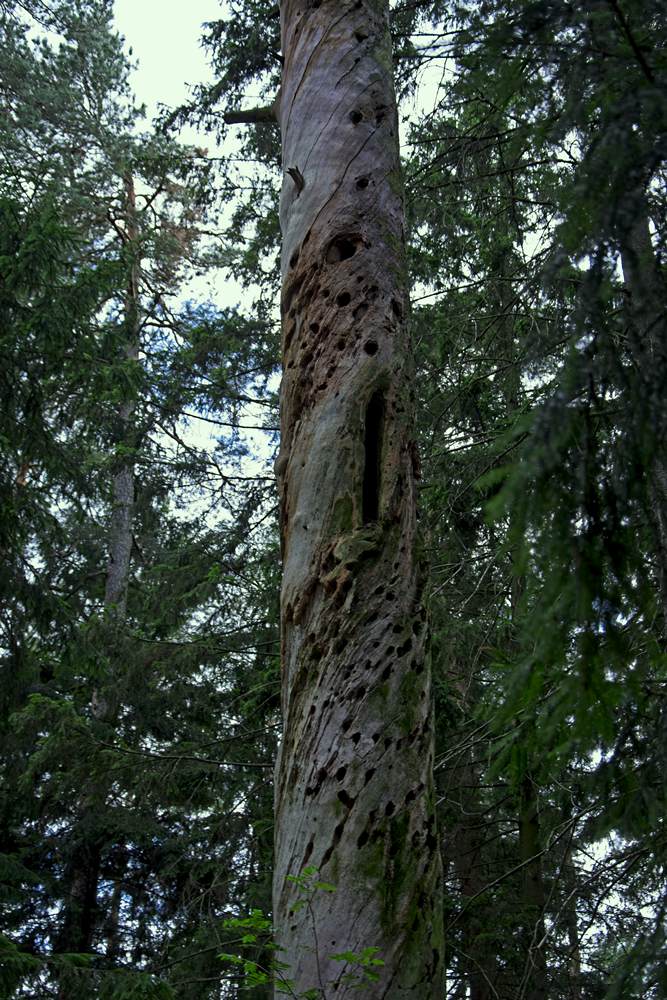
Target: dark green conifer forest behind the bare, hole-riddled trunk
{"x": 139, "y": 655}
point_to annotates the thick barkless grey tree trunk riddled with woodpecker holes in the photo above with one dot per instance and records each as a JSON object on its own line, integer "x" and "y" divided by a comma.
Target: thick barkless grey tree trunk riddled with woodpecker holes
{"x": 354, "y": 793}
